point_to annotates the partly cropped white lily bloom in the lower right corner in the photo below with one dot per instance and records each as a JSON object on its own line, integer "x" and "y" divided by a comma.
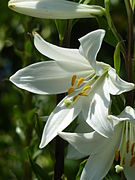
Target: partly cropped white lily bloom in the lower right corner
{"x": 102, "y": 151}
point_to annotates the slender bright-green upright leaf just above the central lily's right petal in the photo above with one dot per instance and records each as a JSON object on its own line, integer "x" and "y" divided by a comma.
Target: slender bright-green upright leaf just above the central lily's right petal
{"x": 117, "y": 59}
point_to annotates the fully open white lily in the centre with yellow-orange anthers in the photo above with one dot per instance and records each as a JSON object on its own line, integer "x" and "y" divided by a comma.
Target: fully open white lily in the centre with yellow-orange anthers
{"x": 89, "y": 84}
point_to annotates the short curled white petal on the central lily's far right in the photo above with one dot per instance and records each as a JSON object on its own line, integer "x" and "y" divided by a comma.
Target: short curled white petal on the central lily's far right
{"x": 116, "y": 84}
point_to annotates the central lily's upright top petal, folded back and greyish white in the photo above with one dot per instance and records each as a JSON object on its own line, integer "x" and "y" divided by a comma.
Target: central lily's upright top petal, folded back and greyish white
{"x": 90, "y": 46}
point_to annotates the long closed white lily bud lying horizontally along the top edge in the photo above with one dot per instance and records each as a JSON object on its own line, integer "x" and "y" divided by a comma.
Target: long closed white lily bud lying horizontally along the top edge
{"x": 55, "y": 9}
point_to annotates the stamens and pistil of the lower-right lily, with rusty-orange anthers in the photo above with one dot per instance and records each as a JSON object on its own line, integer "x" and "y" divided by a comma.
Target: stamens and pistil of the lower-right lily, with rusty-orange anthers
{"x": 127, "y": 147}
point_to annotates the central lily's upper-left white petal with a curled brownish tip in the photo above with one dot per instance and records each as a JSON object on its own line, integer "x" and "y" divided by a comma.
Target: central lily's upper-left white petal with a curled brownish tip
{"x": 68, "y": 59}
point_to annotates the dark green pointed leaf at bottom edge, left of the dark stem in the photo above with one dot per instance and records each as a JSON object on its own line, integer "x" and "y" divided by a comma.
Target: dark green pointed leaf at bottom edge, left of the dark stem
{"x": 39, "y": 172}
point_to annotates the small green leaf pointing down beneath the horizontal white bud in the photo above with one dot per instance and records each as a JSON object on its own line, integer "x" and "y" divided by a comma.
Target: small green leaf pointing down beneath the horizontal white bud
{"x": 61, "y": 28}
